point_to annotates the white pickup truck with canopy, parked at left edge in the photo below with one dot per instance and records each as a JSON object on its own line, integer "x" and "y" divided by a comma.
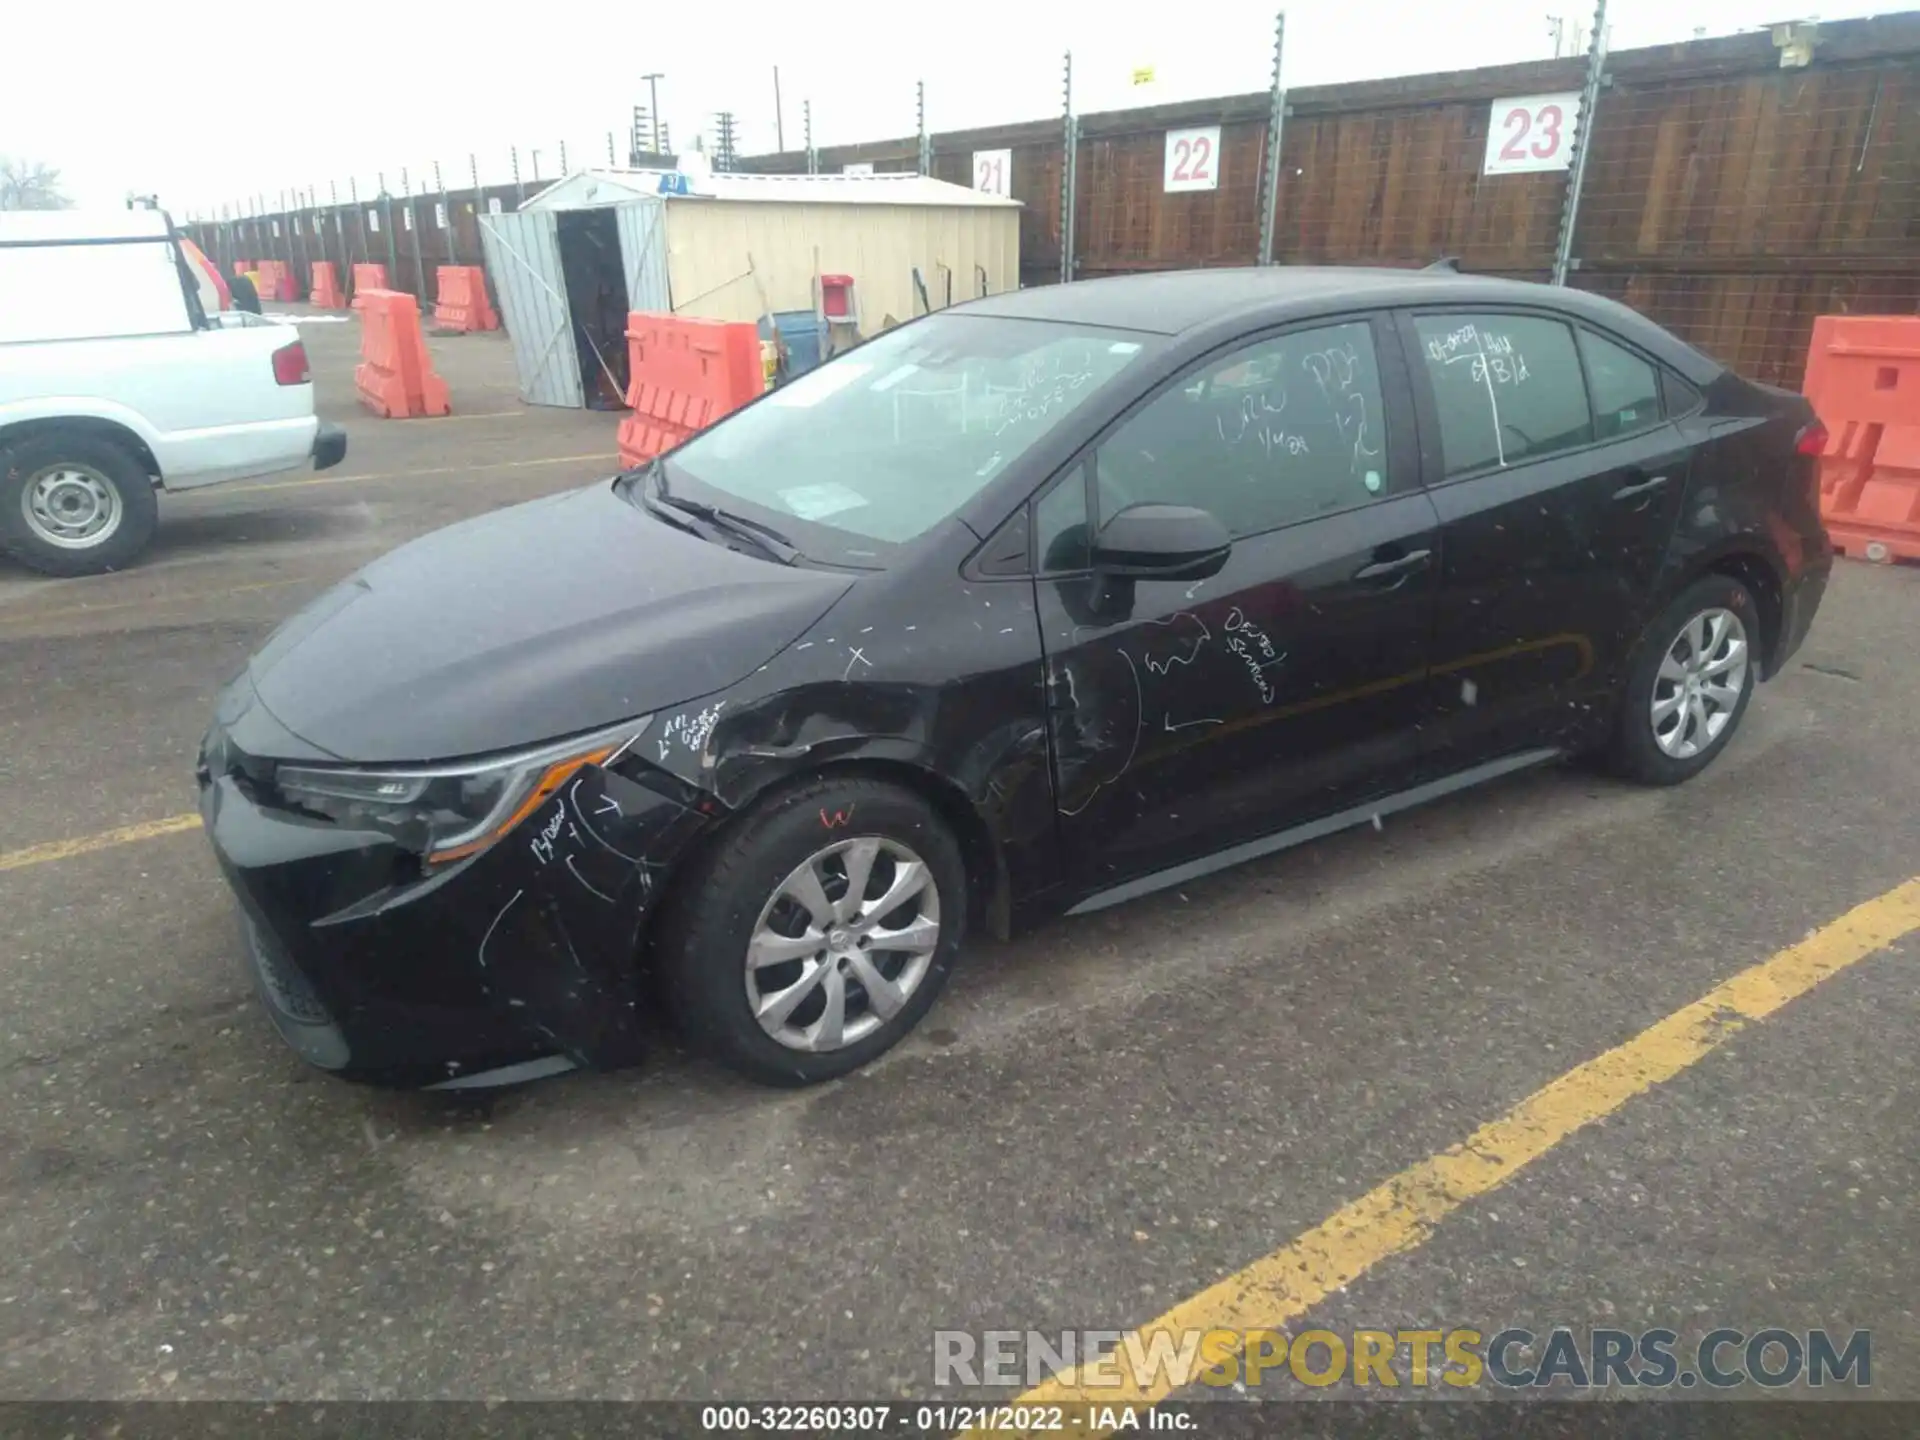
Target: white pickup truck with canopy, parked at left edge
{"x": 116, "y": 383}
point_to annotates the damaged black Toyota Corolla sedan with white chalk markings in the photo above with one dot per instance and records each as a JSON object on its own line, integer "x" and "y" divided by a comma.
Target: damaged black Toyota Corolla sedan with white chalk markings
{"x": 1032, "y": 606}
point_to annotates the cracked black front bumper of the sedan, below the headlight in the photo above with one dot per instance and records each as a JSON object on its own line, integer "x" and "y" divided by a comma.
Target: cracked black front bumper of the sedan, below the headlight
{"x": 375, "y": 971}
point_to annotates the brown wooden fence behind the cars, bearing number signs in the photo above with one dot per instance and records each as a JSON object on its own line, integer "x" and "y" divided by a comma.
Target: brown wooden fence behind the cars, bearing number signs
{"x": 1727, "y": 197}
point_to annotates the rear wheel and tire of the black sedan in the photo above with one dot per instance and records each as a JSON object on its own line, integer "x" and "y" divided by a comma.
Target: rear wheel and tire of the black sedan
{"x": 1691, "y": 684}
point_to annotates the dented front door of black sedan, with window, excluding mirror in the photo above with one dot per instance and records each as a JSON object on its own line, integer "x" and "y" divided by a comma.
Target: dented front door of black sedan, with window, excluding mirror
{"x": 1195, "y": 715}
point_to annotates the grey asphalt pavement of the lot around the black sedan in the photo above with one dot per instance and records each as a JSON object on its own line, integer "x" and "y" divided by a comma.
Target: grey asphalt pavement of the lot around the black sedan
{"x": 1095, "y": 1124}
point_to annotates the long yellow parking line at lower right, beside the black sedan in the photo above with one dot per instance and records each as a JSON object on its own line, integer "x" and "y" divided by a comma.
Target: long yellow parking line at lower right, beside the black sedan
{"x": 1403, "y": 1212}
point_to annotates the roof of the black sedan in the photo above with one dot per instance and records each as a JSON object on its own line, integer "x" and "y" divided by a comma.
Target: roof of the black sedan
{"x": 1176, "y": 302}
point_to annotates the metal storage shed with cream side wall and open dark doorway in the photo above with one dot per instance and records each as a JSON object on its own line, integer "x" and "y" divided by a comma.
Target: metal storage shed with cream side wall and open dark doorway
{"x": 732, "y": 249}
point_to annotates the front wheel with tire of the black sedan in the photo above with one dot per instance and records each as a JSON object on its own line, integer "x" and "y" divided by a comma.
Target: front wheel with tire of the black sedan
{"x": 819, "y": 930}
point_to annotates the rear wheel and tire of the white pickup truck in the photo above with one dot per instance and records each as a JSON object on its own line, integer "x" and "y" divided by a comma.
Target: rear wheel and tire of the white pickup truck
{"x": 74, "y": 504}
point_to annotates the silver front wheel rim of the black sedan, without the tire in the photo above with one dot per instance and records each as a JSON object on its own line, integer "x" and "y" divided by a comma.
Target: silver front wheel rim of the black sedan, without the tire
{"x": 844, "y": 944}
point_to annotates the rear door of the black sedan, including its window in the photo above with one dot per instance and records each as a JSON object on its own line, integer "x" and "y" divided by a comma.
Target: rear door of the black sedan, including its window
{"x": 1558, "y": 483}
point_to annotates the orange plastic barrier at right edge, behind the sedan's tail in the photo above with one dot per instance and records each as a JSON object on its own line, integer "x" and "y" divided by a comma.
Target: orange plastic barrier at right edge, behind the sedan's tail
{"x": 1863, "y": 379}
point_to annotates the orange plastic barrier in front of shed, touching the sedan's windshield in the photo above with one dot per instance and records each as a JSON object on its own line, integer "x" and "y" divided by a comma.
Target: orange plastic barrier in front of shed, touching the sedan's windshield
{"x": 684, "y": 375}
